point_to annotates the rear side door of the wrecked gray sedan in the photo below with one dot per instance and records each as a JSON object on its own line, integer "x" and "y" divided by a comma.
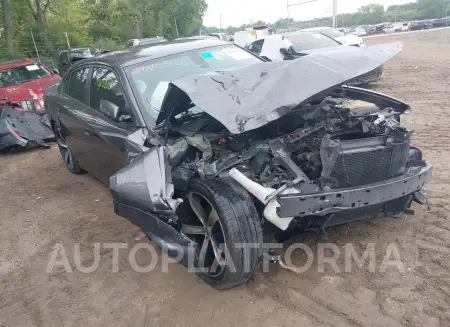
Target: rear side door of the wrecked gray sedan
{"x": 70, "y": 110}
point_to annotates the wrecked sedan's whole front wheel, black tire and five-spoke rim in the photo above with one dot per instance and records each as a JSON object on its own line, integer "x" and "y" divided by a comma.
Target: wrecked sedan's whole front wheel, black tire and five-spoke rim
{"x": 226, "y": 227}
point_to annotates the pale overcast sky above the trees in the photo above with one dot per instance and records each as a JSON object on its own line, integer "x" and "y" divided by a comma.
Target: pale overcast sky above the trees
{"x": 238, "y": 12}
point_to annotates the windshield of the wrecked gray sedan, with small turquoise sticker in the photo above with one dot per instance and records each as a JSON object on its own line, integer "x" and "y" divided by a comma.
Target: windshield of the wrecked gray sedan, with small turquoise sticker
{"x": 151, "y": 79}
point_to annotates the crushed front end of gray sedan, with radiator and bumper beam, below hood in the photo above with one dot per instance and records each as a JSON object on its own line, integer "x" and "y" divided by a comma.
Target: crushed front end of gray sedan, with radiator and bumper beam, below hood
{"x": 343, "y": 159}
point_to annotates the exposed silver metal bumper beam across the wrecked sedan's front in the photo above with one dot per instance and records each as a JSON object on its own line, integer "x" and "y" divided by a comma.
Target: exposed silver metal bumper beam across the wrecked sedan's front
{"x": 339, "y": 200}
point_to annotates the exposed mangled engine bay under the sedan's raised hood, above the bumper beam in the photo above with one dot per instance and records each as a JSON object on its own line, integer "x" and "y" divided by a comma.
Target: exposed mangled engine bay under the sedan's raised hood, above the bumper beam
{"x": 288, "y": 150}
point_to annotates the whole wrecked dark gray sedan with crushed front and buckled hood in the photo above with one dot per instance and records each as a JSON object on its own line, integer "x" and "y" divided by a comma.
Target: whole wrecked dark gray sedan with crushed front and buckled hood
{"x": 204, "y": 146}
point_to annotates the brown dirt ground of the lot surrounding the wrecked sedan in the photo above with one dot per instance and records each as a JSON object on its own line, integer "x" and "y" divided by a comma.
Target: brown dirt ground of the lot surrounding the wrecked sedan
{"x": 42, "y": 204}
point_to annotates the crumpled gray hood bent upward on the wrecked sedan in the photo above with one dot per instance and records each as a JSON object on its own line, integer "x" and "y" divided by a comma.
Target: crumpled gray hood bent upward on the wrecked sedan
{"x": 250, "y": 97}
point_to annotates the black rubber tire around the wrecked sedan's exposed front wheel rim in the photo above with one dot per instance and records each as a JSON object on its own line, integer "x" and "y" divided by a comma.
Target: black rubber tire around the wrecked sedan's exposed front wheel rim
{"x": 240, "y": 223}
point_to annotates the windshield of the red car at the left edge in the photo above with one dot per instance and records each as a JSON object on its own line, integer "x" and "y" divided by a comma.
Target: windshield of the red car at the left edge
{"x": 22, "y": 74}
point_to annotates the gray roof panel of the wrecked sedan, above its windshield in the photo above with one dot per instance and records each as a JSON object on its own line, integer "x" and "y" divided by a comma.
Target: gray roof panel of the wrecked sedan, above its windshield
{"x": 139, "y": 54}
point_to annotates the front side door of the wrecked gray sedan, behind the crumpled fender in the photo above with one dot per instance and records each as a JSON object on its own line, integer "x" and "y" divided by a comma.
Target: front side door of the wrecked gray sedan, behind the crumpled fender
{"x": 104, "y": 138}
